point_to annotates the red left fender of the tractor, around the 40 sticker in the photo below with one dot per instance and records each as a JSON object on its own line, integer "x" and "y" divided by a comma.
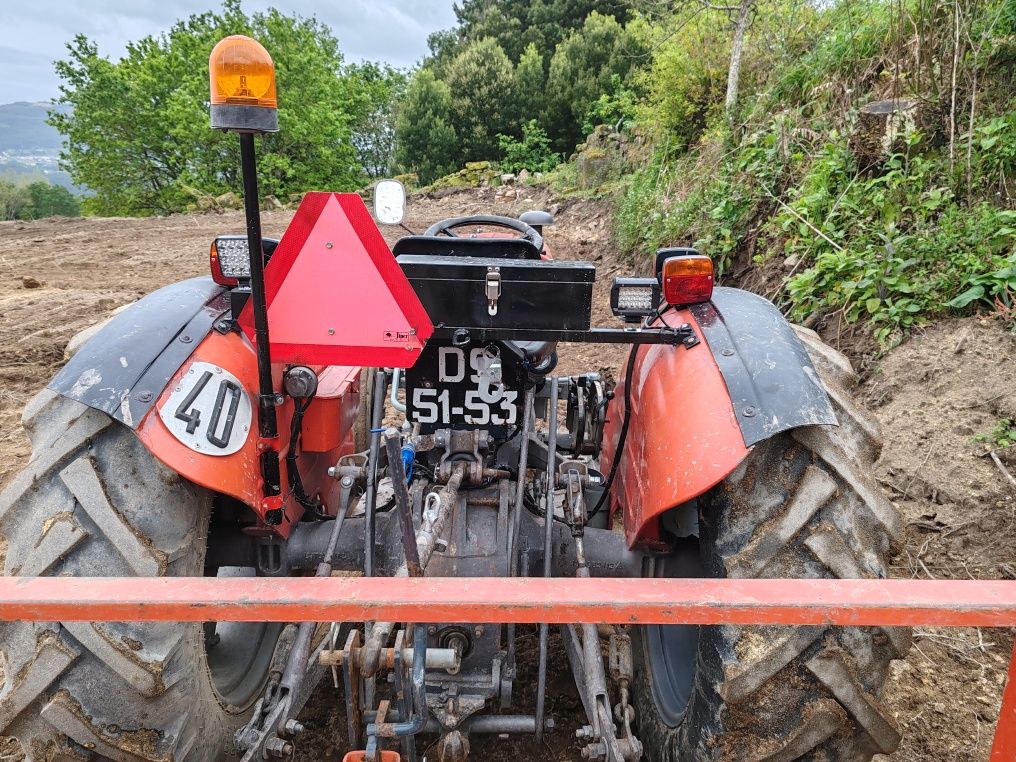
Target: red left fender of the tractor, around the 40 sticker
{"x": 328, "y": 432}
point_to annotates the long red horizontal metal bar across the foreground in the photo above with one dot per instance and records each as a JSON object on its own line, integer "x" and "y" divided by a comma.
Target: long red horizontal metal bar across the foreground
{"x": 783, "y": 602}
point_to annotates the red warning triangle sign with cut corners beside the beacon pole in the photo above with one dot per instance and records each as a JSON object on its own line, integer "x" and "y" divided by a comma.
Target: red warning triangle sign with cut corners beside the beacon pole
{"x": 336, "y": 294}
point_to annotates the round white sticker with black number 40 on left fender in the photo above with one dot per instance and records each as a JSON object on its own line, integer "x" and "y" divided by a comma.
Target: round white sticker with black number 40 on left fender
{"x": 209, "y": 411}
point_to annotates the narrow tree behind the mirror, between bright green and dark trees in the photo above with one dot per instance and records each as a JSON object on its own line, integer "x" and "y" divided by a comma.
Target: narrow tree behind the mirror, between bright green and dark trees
{"x": 377, "y": 88}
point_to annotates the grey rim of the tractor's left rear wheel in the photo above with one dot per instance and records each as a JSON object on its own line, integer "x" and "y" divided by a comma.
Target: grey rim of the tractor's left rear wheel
{"x": 239, "y": 654}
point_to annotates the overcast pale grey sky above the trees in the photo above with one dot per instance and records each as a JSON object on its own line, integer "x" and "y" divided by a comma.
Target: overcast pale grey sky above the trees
{"x": 33, "y": 33}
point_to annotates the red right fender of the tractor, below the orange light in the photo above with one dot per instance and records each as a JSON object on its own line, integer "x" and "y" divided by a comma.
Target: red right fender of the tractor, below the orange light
{"x": 683, "y": 438}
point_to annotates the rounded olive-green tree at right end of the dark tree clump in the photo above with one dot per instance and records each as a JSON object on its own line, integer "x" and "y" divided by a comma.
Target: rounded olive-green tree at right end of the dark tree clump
{"x": 591, "y": 62}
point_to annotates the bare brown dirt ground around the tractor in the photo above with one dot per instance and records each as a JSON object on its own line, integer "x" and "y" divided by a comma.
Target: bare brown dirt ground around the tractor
{"x": 933, "y": 395}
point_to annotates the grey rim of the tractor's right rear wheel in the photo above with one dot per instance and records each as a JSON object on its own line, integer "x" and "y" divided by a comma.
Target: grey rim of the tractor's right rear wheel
{"x": 672, "y": 651}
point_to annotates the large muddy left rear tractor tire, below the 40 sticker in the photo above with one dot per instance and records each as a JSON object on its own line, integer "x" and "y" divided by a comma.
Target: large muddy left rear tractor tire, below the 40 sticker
{"x": 94, "y": 502}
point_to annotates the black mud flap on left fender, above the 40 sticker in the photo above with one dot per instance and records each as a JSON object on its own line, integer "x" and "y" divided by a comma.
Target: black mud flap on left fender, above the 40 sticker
{"x": 124, "y": 368}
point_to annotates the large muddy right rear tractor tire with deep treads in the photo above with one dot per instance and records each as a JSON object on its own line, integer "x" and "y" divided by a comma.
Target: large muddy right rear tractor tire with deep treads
{"x": 802, "y": 505}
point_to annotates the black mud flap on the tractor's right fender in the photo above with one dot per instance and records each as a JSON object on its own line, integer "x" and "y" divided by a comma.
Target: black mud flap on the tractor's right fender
{"x": 773, "y": 385}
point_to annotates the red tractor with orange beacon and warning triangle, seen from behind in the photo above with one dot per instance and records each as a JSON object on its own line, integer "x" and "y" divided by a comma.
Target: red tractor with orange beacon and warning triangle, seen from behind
{"x": 250, "y": 424}
